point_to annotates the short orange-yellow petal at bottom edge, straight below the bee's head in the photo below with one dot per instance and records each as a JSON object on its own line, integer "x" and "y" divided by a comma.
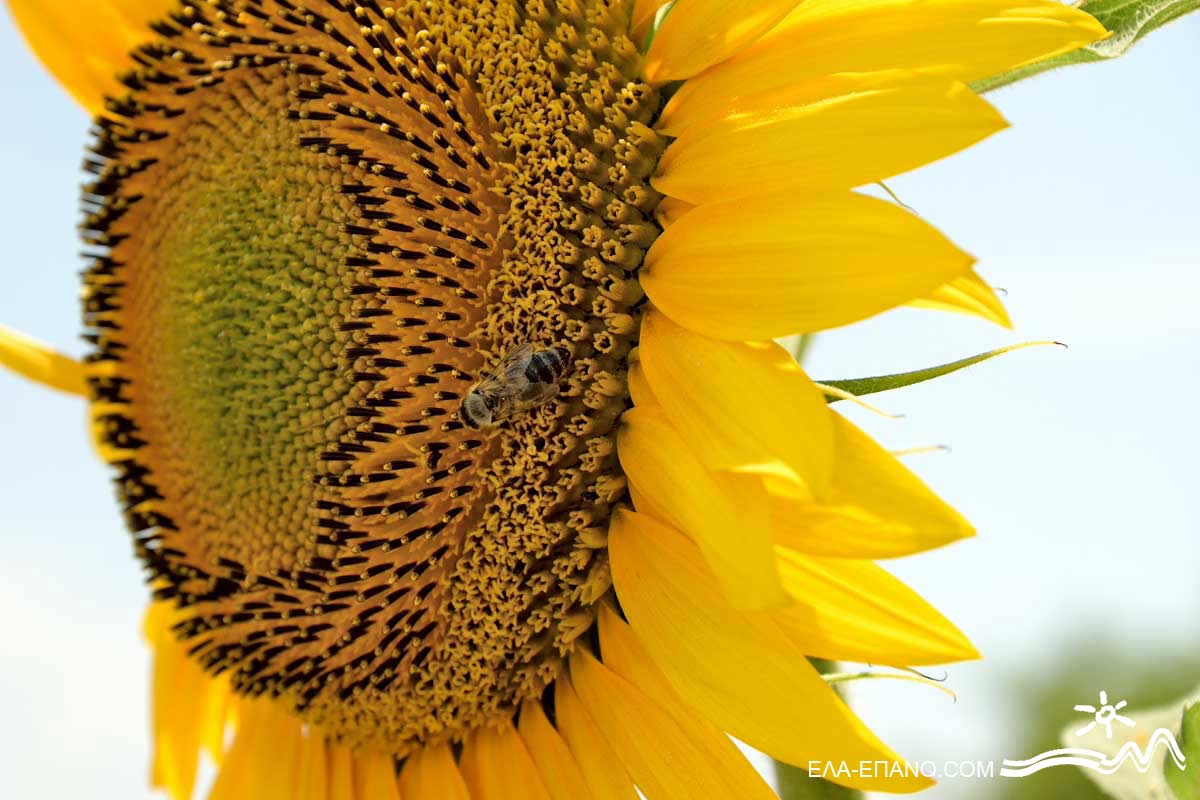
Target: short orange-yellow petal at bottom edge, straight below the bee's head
{"x": 497, "y": 767}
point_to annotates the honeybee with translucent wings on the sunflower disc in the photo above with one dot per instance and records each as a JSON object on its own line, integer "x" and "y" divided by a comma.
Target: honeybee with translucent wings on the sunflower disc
{"x": 525, "y": 380}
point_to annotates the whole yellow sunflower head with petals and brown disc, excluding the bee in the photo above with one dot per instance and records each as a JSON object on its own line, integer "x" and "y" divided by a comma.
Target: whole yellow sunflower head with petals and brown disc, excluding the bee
{"x": 313, "y": 226}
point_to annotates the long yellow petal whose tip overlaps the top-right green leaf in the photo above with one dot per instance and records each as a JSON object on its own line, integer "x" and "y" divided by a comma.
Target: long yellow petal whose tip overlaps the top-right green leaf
{"x": 964, "y": 40}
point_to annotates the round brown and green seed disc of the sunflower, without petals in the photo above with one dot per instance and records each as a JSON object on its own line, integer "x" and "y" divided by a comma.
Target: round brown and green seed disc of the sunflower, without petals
{"x": 313, "y": 227}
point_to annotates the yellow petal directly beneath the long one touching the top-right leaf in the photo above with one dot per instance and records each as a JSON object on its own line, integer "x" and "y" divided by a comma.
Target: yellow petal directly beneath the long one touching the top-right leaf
{"x": 842, "y": 142}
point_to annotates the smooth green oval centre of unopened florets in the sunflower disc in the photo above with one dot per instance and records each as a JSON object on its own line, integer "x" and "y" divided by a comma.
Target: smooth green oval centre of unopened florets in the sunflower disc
{"x": 241, "y": 304}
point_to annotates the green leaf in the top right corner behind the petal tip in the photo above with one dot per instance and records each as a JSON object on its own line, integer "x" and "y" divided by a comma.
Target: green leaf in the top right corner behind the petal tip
{"x": 1129, "y": 21}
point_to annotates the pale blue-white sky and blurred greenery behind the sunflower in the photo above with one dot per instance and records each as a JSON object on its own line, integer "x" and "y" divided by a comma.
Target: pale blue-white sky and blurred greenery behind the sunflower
{"x": 1078, "y": 467}
